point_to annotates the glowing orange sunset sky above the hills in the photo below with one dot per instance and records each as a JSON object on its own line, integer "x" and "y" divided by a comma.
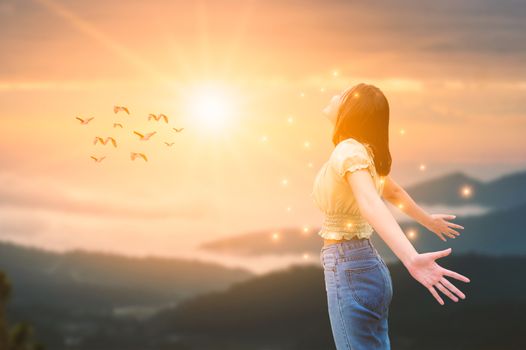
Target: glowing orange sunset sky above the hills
{"x": 246, "y": 80}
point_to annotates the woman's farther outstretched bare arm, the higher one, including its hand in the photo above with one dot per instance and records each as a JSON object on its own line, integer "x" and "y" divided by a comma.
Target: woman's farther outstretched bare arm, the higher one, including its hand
{"x": 396, "y": 195}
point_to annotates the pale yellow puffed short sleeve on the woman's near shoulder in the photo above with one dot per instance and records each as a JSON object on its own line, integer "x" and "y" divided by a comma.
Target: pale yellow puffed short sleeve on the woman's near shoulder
{"x": 349, "y": 156}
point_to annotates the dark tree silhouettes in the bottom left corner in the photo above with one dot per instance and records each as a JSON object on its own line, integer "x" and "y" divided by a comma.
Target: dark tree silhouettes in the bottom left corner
{"x": 19, "y": 336}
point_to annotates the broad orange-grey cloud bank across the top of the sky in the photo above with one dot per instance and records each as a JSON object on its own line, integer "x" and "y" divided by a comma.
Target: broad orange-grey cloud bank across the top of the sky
{"x": 407, "y": 38}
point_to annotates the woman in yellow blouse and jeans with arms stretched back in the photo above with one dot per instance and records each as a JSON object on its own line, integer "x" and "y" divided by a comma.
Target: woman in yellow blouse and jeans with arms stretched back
{"x": 348, "y": 189}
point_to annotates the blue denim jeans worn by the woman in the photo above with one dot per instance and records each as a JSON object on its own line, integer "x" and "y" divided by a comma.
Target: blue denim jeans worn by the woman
{"x": 359, "y": 292}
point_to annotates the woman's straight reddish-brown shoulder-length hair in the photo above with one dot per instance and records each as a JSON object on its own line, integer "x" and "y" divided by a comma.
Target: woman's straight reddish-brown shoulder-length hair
{"x": 363, "y": 115}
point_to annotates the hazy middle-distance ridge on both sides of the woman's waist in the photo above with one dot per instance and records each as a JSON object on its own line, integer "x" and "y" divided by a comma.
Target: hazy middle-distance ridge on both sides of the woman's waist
{"x": 497, "y": 232}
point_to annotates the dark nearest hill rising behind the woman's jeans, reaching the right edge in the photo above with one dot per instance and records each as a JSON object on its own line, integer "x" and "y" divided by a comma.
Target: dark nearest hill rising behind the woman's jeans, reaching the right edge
{"x": 288, "y": 308}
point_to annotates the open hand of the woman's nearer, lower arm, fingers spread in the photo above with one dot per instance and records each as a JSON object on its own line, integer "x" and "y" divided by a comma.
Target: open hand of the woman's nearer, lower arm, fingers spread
{"x": 425, "y": 270}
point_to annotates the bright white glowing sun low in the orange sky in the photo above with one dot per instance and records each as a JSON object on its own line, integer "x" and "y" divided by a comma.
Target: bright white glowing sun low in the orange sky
{"x": 212, "y": 105}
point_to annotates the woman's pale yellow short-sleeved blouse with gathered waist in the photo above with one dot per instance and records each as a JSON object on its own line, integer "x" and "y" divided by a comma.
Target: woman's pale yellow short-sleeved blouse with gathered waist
{"x": 333, "y": 196}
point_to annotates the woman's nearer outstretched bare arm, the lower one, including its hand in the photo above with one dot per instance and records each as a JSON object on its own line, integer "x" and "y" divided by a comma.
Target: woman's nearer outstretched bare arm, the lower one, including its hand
{"x": 422, "y": 267}
